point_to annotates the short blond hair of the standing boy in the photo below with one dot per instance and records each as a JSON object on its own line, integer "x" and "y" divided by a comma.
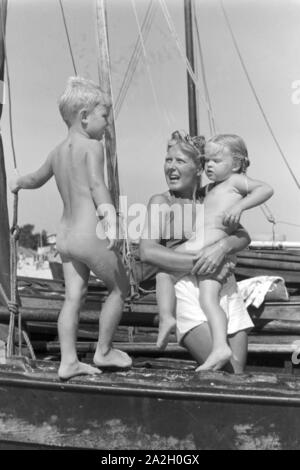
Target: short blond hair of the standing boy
{"x": 80, "y": 93}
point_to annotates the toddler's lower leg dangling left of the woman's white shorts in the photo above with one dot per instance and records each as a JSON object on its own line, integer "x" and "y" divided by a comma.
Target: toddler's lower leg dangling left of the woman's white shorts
{"x": 166, "y": 301}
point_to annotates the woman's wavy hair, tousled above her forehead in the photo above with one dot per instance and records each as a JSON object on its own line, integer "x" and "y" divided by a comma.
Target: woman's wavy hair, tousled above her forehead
{"x": 193, "y": 147}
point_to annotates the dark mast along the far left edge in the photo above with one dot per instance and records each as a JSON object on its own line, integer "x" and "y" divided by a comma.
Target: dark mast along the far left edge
{"x": 4, "y": 223}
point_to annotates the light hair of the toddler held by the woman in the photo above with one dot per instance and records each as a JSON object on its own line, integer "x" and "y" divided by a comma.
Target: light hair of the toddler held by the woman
{"x": 236, "y": 146}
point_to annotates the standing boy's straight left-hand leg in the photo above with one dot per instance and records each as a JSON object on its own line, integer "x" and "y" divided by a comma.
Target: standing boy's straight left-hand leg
{"x": 76, "y": 277}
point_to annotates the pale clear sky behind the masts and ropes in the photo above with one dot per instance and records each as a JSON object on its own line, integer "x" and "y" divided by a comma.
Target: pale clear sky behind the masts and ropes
{"x": 267, "y": 32}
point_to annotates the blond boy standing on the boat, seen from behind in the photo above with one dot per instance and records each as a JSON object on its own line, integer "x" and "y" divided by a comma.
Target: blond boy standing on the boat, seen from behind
{"x": 77, "y": 164}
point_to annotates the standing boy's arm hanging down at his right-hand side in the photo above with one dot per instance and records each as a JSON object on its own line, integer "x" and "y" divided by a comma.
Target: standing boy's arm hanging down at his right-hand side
{"x": 100, "y": 193}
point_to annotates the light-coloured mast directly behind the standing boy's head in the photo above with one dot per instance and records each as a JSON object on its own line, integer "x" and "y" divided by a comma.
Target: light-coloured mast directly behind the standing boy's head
{"x": 105, "y": 84}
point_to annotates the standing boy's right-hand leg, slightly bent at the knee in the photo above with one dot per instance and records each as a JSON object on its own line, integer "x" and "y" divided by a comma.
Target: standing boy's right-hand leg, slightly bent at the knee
{"x": 109, "y": 268}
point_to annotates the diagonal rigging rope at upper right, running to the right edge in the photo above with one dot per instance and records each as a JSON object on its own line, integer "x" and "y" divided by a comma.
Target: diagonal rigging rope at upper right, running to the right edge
{"x": 256, "y": 96}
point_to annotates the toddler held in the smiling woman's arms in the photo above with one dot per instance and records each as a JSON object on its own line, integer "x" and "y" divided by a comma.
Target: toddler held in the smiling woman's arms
{"x": 230, "y": 193}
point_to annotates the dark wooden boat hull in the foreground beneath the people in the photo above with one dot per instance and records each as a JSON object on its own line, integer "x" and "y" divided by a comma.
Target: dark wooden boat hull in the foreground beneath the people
{"x": 148, "y": 409}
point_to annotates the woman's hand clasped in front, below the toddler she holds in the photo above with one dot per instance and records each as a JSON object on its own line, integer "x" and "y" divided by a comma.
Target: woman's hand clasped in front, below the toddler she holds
{"x": 208, "y": 260}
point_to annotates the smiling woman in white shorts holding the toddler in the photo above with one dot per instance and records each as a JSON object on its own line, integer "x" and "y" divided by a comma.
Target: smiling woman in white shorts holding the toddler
{"x": 164, "y": 229}
